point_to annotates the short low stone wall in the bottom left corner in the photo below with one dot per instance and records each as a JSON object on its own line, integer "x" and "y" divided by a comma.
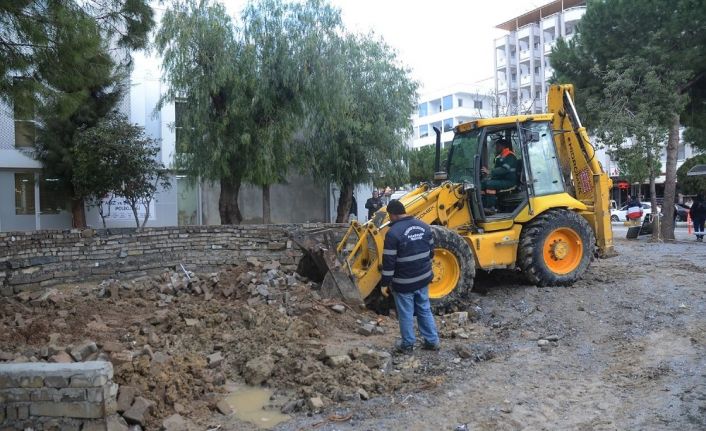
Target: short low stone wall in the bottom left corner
{"x": 40, "y": 396}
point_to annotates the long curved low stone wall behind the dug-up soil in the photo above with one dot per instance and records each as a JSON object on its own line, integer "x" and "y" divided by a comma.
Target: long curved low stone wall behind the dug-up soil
{"x": 31, "y": 260}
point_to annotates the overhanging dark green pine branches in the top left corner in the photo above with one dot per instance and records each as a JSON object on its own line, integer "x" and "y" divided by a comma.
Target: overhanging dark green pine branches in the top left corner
{"x": 44, "y": 39}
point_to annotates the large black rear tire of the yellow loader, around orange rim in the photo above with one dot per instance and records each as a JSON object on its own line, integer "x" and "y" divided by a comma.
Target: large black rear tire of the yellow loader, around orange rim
{"x": 533, "y": 240}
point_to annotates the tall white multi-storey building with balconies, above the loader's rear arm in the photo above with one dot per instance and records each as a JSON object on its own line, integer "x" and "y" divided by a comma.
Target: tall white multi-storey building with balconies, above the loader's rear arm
{"x": 522, "y": 66}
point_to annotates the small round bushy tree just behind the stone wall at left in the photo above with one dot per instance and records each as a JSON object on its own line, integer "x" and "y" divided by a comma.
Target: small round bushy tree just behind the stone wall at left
{"x": 117, "y": 158}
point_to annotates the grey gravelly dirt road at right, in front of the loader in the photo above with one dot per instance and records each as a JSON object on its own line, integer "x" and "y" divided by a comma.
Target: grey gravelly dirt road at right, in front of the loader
{"x": 630, "y": 354}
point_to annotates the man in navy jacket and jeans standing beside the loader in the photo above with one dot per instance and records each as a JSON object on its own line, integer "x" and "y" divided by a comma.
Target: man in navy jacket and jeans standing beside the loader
{"x": 406, "y": 263}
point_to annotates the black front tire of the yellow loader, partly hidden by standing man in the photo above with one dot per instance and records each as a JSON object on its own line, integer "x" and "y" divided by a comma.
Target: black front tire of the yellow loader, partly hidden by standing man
{"x": 449, "y": 240}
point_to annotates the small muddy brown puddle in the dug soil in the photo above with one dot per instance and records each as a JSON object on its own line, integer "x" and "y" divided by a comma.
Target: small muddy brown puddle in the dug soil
{"x": 248, "y": 404}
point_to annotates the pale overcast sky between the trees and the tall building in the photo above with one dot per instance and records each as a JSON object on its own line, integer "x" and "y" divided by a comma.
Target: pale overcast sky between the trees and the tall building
{"x": 444, "y": 42}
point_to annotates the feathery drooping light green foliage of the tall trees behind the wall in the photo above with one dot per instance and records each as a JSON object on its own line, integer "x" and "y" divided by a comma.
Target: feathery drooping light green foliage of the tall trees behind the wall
{"x": 288, "y": 89}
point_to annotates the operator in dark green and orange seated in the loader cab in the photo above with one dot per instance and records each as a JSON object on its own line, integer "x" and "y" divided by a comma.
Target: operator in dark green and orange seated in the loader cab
{"x": 503, "y": 176}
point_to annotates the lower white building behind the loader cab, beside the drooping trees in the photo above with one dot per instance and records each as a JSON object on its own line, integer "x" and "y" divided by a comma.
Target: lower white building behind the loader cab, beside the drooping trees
{"x": 449, "y": 107}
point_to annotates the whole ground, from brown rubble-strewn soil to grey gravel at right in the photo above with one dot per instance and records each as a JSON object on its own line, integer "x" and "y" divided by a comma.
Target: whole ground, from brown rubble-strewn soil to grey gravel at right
{"x": 624, "y": 348}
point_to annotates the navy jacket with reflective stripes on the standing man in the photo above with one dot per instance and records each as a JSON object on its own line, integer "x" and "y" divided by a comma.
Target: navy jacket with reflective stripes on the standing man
{"x": 407, "y": 254}
